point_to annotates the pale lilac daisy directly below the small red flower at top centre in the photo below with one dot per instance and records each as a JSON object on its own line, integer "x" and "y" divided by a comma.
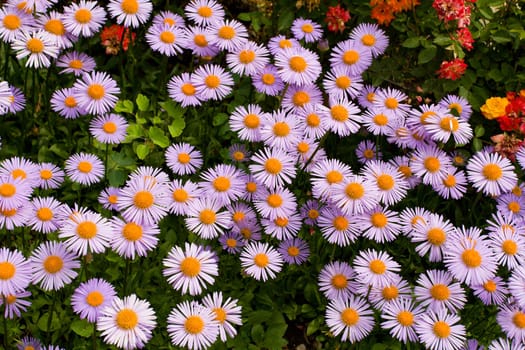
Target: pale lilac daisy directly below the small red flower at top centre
{"x": 352, "y": 55}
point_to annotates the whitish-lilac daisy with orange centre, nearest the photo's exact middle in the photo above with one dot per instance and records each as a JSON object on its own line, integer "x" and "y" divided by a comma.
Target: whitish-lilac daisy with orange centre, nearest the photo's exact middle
{"x": 273, "y": 167}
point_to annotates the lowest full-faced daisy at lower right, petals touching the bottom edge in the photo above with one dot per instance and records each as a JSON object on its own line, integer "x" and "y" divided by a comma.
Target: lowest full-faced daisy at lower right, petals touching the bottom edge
{"x": 441, "y": 330}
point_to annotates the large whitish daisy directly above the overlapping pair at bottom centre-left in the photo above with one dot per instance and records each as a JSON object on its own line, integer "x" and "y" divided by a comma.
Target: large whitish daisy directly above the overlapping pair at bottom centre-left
{"x": 191, "y": 269}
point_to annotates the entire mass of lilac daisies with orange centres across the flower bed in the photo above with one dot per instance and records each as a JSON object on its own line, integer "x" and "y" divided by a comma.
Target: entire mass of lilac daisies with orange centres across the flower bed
{"x": 249, "y": 206}
